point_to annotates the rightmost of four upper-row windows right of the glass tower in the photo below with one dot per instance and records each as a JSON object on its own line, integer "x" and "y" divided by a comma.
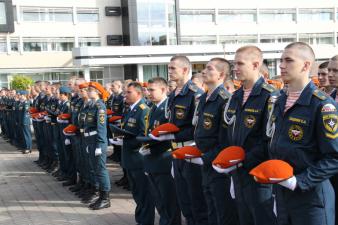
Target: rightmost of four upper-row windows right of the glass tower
{"x": 318, "y": 15}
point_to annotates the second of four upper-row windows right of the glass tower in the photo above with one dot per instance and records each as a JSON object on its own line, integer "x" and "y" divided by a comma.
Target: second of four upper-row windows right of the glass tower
{"x": 237, "y": 16}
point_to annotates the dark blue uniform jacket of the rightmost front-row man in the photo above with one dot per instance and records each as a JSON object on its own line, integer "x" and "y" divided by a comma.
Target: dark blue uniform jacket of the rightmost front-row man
{"x": 306, "y": 136}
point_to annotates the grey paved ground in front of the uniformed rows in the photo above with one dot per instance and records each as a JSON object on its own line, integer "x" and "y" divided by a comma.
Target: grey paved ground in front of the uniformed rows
{"x": 30, "y": 196}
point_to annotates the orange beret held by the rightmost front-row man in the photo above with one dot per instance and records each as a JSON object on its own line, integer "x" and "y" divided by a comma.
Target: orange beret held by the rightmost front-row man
{"x": 272, "y": 171}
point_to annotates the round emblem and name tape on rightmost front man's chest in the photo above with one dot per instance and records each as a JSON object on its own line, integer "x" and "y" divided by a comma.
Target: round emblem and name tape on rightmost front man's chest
{"x": 298, "y": 129}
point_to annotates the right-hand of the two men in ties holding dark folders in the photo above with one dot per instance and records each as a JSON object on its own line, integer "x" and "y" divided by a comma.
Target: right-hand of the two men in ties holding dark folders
{"x": 157, "y": 158}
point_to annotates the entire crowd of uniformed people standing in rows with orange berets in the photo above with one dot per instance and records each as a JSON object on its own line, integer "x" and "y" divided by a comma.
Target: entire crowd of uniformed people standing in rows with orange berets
{"x": 194, "y": 146}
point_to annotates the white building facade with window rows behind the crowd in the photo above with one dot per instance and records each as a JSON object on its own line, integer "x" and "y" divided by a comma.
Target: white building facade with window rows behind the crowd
{"x": 53, "y": 40}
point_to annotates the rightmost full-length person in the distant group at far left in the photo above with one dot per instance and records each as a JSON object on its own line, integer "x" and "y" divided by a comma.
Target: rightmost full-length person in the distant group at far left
{"x": 24, "y": 122}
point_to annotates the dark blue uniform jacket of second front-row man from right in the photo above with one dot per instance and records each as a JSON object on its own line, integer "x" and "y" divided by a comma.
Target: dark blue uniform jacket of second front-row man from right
{"x": 249, "y": 128}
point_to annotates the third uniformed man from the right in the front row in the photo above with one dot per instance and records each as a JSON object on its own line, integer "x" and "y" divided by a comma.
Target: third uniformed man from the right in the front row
{"x": 208, "y": 120}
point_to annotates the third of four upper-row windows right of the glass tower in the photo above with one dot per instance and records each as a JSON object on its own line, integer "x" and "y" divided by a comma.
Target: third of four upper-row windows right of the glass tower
{"x": 277, "y": 15}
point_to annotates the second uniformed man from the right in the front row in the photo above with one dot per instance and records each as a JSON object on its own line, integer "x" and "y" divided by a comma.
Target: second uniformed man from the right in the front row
{"x": 246, "y": 117}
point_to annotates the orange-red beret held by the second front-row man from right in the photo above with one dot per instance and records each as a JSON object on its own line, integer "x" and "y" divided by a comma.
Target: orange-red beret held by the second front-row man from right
{"x": 229, "y": 156}
